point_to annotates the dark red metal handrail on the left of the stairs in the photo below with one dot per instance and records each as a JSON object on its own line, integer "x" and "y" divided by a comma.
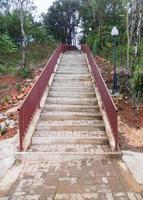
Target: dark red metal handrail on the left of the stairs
{"x": 28, "y": 107}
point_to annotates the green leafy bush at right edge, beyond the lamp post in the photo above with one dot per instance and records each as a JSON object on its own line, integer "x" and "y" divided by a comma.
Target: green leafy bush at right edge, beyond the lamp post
{"x": 137, "y": 84}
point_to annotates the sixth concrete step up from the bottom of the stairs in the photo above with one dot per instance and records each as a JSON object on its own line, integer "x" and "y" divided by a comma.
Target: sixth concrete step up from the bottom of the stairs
{"x": 72, "y": 101}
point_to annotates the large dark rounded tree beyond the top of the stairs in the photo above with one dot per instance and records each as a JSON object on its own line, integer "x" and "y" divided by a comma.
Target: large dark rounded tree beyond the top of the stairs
{"x": 62, "y": 19}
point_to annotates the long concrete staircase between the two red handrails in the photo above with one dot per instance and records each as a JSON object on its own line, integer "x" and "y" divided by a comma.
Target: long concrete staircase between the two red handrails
{"x": 71, "y": 125}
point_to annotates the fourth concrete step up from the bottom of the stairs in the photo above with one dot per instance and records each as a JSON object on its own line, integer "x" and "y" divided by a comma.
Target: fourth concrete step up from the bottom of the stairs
{"x": 70, "y": 116}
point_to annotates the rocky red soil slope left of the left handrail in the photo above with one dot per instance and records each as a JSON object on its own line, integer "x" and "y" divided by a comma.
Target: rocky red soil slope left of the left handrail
{"x": 12, "y": 92}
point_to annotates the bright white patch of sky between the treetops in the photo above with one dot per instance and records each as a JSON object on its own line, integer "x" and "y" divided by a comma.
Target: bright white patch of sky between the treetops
{"x": 43, "y": 5}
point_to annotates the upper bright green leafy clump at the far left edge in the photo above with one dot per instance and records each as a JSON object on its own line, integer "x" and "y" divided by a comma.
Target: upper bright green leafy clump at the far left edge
{"x": 7, "y": 45}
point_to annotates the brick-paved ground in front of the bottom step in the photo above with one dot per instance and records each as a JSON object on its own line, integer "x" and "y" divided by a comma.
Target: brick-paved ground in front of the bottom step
{"x": 87, "y": 179}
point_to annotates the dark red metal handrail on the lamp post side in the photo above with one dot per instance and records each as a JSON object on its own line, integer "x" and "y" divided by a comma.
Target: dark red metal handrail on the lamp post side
{"x": 108, "y": 103}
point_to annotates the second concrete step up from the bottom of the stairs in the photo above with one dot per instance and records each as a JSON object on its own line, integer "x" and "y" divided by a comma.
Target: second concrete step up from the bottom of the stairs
{"x": 36, "y": 140}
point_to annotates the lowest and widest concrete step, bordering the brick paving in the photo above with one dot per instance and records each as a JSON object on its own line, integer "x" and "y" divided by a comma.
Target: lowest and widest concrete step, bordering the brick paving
{"x": 65, "y": 156}
